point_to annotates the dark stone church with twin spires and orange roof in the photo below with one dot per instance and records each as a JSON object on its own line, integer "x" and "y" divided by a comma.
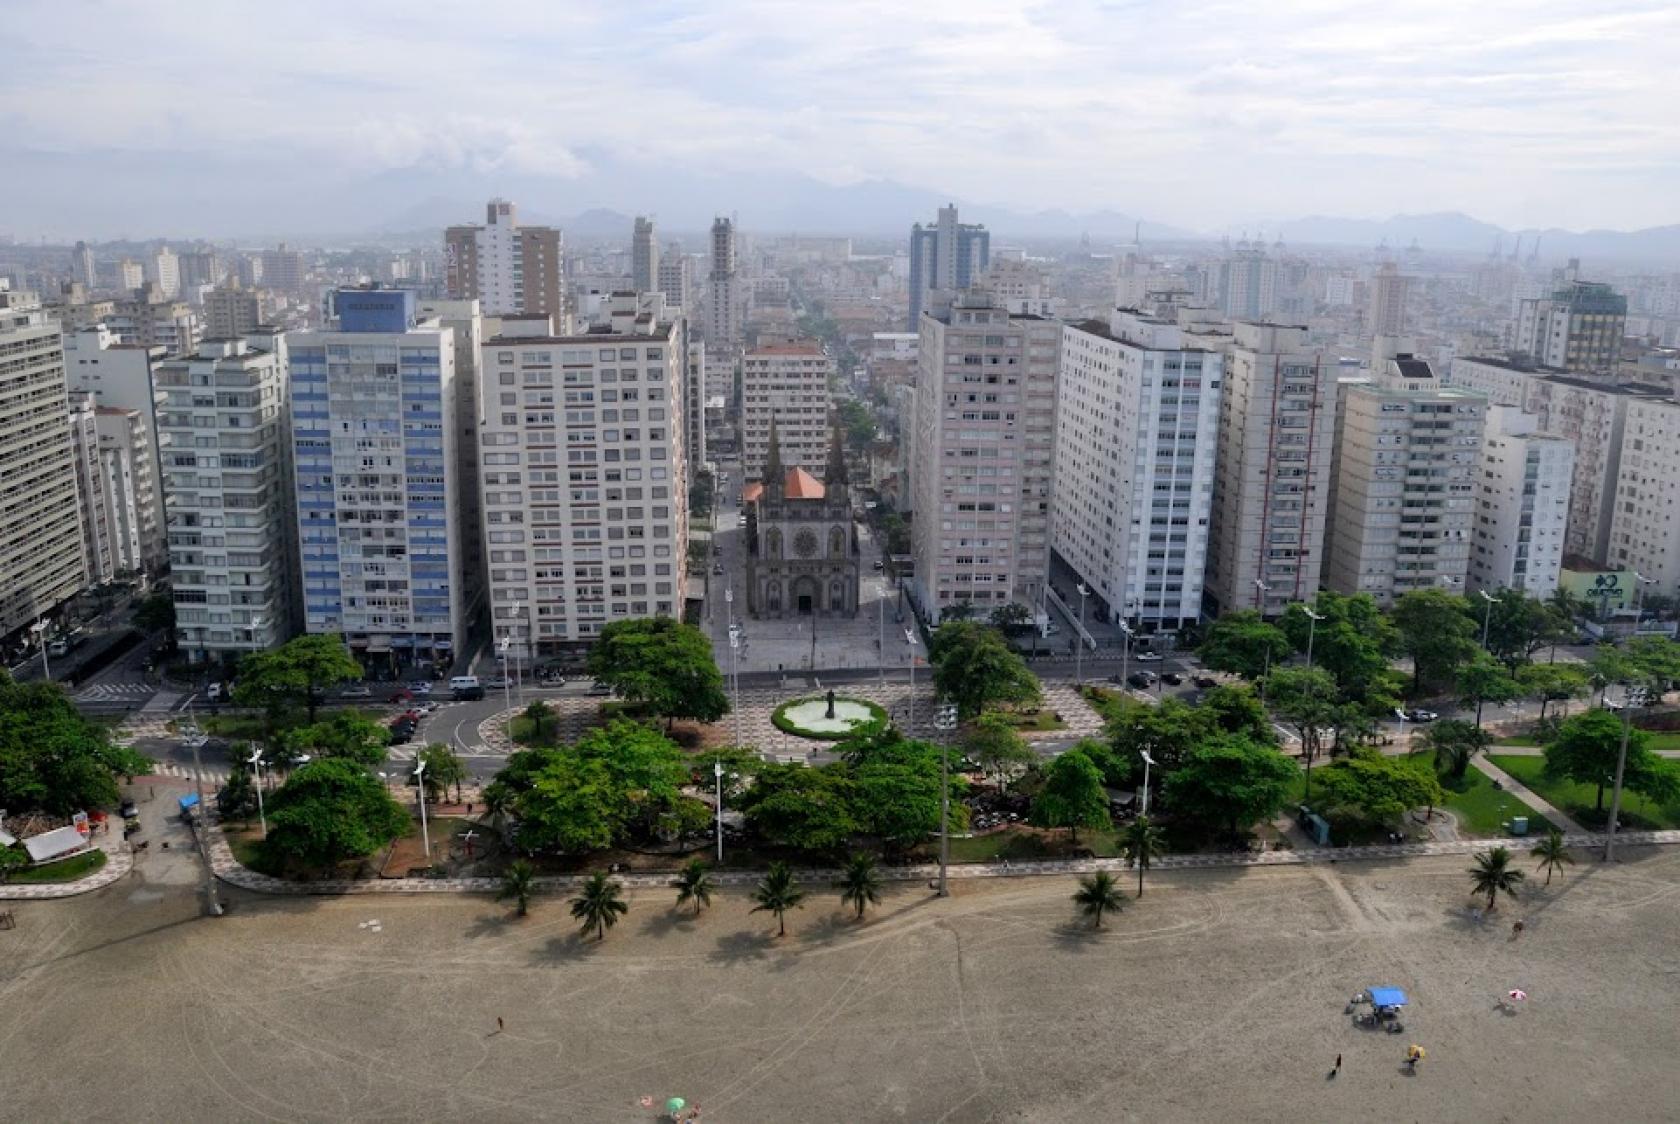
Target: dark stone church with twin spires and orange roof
{"x": 802, "y": 544}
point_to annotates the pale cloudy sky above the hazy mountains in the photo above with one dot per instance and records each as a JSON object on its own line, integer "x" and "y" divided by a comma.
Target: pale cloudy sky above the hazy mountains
{"x": 145, "y": 118}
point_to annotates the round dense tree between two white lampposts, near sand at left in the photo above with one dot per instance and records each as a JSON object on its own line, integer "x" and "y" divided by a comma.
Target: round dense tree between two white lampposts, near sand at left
{"x": 332, "y": 811}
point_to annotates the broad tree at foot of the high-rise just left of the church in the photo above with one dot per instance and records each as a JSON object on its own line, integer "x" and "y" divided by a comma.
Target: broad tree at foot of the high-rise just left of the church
{"x": 661, "y": 664}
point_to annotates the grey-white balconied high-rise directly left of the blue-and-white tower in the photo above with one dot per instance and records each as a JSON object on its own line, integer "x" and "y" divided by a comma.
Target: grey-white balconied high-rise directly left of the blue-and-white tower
{"x": 228, "y": 490}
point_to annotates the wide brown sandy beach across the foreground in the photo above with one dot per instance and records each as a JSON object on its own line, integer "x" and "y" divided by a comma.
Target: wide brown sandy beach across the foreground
{"x": 1217, "y": 997}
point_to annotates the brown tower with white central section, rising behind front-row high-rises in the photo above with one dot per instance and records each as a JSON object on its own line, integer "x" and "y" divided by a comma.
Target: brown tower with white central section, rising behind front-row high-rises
{"x": 507, "y": 268}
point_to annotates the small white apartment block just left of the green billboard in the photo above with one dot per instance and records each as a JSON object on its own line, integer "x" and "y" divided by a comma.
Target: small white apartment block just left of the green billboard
{"x": 1523, "y": 507}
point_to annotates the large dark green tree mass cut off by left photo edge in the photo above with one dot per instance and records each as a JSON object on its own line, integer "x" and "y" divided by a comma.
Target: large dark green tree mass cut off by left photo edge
{"x": 53, "y": 759}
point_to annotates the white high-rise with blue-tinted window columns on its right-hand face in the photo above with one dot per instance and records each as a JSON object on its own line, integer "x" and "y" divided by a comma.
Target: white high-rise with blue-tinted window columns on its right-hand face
{"x": 1138, "y": 436}
